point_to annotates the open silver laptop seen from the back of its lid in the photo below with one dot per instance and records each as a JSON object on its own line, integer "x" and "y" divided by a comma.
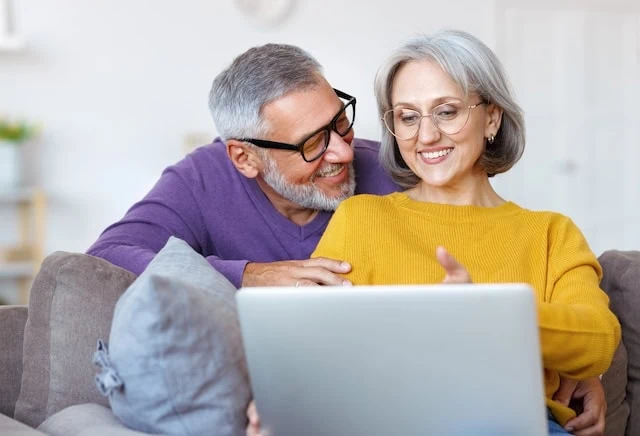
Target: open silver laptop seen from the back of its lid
{"x": 394, "y": 360}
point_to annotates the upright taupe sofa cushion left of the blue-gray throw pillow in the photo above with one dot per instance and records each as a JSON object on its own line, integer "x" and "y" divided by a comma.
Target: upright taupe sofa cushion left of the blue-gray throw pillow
{"x": 70, "y": 307}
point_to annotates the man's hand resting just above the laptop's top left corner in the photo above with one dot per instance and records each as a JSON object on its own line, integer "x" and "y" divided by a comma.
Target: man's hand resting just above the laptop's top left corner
{"x": 310, "y": 272}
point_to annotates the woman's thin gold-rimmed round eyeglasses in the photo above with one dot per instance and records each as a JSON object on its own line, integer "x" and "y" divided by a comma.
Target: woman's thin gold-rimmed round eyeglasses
{"x": 449, "y": 118}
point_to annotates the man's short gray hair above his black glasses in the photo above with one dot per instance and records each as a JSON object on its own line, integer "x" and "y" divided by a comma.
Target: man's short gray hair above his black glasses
{"x": 255, "y": 78}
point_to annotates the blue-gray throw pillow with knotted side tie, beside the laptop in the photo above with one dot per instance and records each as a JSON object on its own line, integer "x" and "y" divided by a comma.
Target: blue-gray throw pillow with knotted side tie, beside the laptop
{"x": 175, "y": 363}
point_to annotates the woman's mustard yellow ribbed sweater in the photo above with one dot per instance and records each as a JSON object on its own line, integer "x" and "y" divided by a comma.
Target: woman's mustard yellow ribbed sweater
{"x": 392, "y": 240}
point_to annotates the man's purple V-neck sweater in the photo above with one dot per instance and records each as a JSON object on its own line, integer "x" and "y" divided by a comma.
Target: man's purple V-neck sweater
{"x": 223, "y": 215}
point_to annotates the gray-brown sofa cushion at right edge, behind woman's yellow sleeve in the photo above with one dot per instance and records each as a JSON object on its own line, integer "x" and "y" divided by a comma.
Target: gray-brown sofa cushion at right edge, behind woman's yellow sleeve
{"x": 621, "y": 281}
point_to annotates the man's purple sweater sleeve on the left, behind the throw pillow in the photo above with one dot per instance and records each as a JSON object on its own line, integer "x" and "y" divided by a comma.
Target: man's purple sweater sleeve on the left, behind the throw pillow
{"x": 169, "y": 209}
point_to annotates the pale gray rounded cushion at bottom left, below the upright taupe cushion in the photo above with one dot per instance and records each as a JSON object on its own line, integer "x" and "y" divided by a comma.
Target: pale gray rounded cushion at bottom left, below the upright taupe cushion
{"x": 85, "y": 419}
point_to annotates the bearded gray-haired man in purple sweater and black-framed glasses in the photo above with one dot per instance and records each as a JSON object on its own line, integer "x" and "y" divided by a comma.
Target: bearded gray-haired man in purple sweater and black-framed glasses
{"x": 256, "y": 202}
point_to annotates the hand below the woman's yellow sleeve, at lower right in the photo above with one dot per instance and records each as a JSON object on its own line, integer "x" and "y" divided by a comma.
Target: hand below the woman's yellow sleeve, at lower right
{"x": 594, "y": 404}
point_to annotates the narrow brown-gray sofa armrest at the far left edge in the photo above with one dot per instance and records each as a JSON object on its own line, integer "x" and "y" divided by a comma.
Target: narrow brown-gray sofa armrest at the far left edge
{"x": 12, "y": 322}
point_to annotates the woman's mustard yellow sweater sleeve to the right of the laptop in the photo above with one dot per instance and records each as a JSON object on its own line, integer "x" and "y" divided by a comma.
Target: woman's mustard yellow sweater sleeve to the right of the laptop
{"x": 579, "y": 333}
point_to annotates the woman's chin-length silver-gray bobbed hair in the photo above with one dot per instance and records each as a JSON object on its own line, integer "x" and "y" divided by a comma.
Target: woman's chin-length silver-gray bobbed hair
{"x": 476, "y": 69}
